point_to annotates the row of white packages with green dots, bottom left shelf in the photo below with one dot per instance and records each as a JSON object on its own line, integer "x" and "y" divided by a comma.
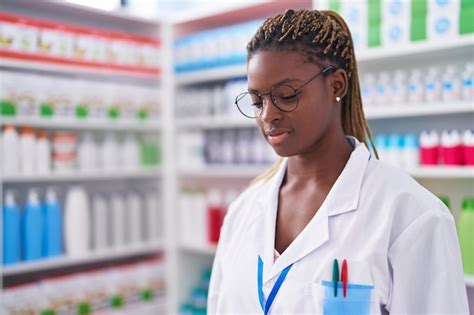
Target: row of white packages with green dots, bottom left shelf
{"x": 138, "y": 288}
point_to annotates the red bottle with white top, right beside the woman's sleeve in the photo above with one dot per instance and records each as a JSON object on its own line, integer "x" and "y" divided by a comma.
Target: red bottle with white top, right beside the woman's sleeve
{"x": 215, "y": 215}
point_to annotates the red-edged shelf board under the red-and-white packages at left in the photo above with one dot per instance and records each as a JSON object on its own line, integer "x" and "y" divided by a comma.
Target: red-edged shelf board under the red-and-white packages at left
{"x": 33, "y": 62}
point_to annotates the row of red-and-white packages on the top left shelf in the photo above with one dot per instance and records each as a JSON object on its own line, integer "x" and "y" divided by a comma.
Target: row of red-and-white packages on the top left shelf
{"x": 22, "y": 34}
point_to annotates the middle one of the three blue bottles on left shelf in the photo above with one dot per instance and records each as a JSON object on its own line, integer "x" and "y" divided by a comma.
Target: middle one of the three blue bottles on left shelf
{"x": 32, "y": 227}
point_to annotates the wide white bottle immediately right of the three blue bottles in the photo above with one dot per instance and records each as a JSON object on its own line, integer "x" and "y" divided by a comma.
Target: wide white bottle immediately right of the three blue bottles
{"x": 77, "y": 223}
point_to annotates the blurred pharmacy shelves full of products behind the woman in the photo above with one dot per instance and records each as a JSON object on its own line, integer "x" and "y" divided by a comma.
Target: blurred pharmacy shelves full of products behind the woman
{"x": 121, "y": 146}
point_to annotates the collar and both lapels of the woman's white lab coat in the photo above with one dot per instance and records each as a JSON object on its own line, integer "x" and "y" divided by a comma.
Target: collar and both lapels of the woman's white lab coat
{"x": 343, "y": 197}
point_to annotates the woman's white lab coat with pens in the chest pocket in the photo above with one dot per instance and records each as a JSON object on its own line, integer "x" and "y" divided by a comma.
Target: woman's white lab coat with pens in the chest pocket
{"x": 394, "y": 233}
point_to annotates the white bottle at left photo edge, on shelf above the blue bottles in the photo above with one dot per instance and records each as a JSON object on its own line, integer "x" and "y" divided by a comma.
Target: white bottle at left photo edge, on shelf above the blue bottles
{"x": 11, "y": 151}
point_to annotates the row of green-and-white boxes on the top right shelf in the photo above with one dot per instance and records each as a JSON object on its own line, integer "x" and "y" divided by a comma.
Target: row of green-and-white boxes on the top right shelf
{"x": 396, "y": 23}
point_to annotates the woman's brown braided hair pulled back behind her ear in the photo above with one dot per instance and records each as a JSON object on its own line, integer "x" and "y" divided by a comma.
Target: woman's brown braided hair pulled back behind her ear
{"x": 320, "y": 36}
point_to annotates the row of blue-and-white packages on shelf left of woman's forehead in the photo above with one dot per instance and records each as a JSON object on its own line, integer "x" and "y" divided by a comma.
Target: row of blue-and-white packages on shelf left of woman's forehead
{"x": 218, "y": 47}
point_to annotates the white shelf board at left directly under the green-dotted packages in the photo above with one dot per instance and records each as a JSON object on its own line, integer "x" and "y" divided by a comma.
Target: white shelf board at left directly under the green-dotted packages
{"x": 76, "y": 124}
